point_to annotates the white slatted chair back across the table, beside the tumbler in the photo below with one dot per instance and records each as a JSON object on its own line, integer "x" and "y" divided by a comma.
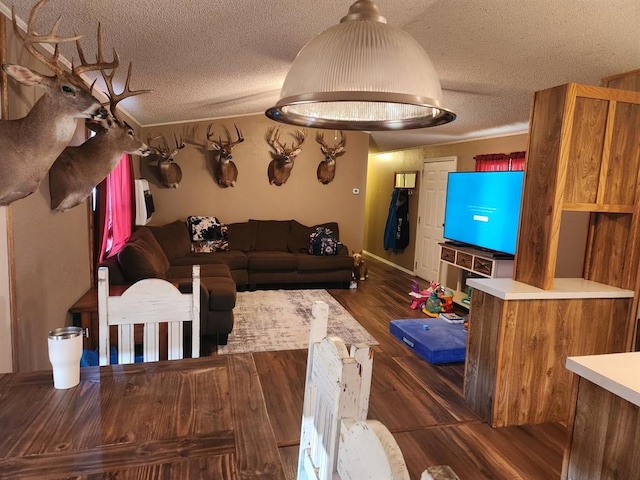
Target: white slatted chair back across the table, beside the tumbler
{"x": 148, "y": 302}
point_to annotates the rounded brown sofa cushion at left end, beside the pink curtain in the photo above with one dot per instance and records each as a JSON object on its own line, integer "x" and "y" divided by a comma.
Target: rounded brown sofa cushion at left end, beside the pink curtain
{"x": 142, "y": 257}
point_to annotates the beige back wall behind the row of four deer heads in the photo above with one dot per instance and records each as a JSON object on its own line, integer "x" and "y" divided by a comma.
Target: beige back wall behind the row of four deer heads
{"x": 302, "y": 197}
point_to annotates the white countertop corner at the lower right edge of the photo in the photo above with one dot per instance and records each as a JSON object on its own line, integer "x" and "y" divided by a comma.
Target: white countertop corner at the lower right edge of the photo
{"x": 619, "y": 373}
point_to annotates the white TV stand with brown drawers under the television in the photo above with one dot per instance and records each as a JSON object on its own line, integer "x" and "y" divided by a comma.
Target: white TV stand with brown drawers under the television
{"x": 473, "y": 262}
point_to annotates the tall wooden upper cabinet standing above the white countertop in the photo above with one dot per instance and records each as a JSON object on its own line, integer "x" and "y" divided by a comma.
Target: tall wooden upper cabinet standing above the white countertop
{"x": 583, "y": 155}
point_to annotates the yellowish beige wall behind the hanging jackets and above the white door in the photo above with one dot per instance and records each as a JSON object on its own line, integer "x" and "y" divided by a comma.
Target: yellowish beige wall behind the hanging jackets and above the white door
{"x": 380, "y": 175}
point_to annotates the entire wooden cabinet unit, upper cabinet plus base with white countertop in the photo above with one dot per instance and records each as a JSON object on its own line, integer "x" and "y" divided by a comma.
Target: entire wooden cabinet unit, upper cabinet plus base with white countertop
{"x": 583, "y": 156}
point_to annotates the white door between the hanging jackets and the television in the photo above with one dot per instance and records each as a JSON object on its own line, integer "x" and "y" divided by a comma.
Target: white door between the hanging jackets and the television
{"x": 433, "y": 190}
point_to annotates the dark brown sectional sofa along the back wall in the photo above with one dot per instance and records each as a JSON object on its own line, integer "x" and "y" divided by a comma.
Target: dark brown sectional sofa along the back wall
{"x": 261, "y": 253}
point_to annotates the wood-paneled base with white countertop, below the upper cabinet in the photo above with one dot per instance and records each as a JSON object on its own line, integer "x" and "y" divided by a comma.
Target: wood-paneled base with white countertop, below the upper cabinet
{"x": 520, "y": 337}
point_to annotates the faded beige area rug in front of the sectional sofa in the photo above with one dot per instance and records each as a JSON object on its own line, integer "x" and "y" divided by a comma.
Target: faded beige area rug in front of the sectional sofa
{"x": 269, "y": 320}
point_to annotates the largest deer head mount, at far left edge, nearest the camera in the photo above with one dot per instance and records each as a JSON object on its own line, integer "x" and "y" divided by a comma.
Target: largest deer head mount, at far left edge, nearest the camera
{"x": 31, "y": 144}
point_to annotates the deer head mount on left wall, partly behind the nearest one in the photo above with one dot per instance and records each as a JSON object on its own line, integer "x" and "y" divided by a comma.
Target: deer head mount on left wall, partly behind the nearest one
{"x": 78, "y": 170}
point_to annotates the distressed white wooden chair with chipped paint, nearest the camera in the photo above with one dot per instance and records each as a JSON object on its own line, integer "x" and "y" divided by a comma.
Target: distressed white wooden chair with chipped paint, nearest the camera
{"x": 337, "y": 441}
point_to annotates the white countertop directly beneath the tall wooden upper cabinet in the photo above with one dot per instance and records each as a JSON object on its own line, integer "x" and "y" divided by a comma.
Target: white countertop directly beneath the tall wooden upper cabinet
{"x": 563, "y": 288}
